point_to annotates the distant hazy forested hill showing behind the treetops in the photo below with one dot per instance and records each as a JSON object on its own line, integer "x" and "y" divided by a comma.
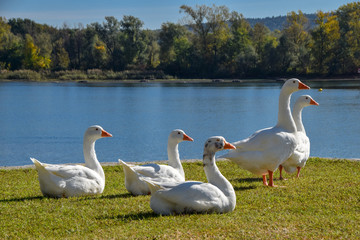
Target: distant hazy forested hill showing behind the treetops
{"x": 278, "y": 23}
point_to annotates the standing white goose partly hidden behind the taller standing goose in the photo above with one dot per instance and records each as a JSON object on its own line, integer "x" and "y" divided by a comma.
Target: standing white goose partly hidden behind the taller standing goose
{"x": 302, "y": 151}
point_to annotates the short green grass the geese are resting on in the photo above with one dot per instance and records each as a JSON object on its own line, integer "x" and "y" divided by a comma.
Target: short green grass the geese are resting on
{"x": 324, "y": 203}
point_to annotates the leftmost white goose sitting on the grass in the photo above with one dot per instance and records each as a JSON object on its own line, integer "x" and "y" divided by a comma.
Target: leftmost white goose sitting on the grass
{"x": 75, "y": 180}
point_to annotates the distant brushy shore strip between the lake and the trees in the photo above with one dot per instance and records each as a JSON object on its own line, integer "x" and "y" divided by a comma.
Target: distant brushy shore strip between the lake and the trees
{"x": 147, "y": 76}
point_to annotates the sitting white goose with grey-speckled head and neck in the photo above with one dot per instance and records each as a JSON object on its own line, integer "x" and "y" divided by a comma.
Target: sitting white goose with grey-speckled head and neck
{"x": 217, "y": 195}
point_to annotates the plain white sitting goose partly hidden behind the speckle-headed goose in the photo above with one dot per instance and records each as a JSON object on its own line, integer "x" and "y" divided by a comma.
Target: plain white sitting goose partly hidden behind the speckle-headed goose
{"x": 173, "y": 172}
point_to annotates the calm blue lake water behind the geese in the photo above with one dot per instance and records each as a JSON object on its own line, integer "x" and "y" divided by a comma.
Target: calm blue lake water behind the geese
{"x": 47, "y": 120}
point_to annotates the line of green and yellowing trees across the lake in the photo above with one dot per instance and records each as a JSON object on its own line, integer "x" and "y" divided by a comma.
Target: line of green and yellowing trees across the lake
{"x": 213, "y": 42}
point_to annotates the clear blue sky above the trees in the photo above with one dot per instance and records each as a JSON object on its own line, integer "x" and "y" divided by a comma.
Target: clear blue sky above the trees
{"x": 152, "y": 13}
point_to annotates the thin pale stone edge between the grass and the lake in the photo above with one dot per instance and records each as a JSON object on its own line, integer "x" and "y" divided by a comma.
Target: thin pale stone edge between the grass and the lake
{"x": 105, "y": 164}
